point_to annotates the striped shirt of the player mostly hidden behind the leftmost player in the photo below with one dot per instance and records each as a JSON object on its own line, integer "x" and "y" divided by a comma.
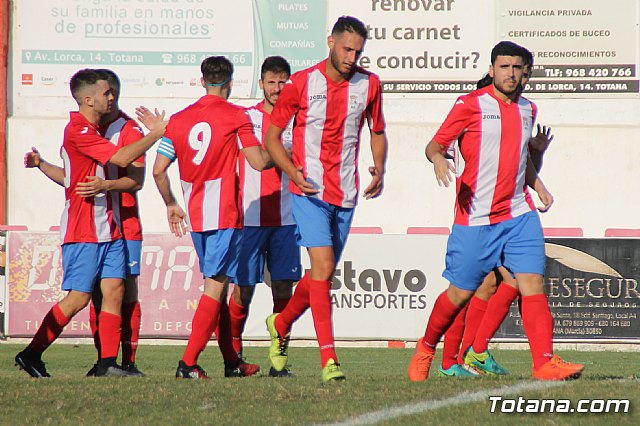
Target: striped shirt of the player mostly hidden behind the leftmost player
{"x": 121, "y": 132}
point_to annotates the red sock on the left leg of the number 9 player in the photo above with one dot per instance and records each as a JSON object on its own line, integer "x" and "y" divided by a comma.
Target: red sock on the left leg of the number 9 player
{"x": 204, "y": 322}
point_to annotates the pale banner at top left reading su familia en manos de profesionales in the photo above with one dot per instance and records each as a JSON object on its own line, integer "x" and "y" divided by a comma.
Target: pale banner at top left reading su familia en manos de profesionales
{"x": 157, "y": 47}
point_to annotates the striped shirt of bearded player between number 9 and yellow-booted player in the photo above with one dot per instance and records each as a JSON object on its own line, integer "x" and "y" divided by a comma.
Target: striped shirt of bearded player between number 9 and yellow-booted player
{"x": 265, "y": 195}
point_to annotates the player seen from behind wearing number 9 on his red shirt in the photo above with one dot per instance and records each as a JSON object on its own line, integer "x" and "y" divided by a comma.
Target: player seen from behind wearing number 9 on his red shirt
{"x": 205, "y": 138}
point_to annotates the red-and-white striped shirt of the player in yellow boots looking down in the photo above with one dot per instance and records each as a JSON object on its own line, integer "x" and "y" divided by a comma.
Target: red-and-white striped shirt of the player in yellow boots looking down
{"x": 326, "y": 132}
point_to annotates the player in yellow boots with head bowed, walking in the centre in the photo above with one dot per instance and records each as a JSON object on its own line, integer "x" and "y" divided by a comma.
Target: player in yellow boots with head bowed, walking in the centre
{"x": 329, "y": 103}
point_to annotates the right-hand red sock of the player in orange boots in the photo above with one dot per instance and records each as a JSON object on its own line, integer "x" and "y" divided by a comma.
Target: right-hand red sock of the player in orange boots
{"x": 538, "y": 325}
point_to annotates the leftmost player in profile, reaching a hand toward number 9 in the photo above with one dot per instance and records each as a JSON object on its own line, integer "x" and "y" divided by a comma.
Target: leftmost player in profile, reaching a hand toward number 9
{"x": 92, "y": 245}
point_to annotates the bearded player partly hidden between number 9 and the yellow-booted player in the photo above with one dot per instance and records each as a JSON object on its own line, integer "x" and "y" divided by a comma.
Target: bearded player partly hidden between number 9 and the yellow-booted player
{"x": 269, "y": 229}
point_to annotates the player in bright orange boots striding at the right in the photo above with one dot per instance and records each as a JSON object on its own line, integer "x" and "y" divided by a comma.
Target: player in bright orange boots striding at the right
{"x": 496, "y": 222}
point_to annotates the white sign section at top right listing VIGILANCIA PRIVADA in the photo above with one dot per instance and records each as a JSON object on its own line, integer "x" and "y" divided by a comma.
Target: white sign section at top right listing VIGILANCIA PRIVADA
{"x": 578, "y": 46}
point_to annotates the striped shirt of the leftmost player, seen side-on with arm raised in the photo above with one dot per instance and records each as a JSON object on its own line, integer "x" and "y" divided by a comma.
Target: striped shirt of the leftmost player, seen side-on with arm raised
{"x": 84, "y": 152}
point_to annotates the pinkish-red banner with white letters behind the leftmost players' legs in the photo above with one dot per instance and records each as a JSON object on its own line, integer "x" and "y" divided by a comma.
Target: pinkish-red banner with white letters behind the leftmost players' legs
{"x": 169, "y": 287}
